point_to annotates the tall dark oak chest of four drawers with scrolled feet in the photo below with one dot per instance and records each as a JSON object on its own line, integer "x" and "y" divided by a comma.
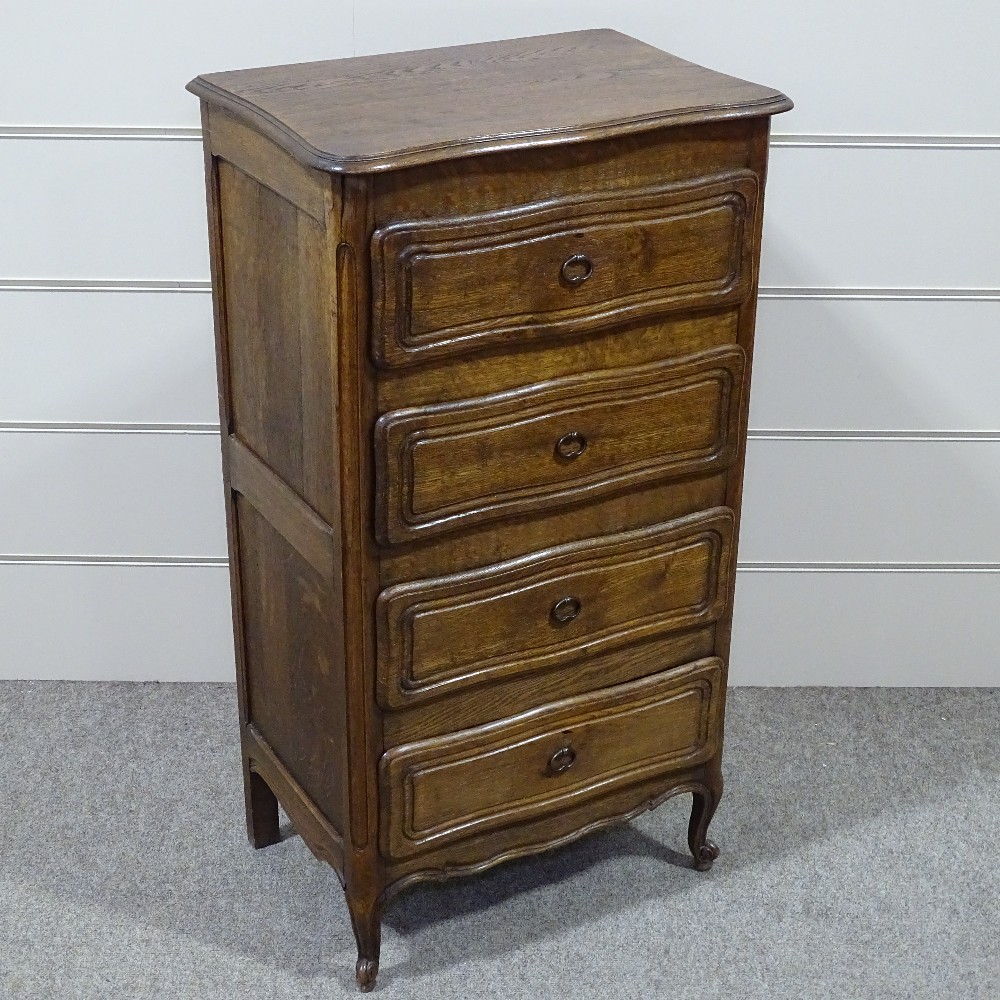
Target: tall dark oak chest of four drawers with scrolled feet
{"x": 484, "y": 319}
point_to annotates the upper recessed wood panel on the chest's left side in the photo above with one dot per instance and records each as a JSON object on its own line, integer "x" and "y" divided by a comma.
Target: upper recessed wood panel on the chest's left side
{"x": 278, "y": 311}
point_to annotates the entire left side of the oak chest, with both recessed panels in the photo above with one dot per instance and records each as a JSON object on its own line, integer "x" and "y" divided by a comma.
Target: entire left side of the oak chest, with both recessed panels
{"x": 271, "y": 224}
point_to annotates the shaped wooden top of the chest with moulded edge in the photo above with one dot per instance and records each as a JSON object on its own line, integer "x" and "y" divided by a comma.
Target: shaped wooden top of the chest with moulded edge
{"x": 387, "y": 111}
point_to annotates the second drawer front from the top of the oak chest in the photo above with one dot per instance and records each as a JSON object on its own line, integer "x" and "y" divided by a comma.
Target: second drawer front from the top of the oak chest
{"x": 451, "y": 465}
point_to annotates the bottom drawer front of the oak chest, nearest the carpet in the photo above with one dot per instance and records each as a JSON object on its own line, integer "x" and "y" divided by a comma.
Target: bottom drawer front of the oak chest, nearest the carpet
{"x": 445, "y": 789}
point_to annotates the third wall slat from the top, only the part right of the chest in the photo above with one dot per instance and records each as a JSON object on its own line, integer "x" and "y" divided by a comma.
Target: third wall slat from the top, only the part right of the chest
{"x": 856, "y": 365}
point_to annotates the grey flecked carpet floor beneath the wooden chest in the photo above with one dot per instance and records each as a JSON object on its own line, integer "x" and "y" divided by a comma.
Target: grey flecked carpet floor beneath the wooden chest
{"x": 860, "y": 832}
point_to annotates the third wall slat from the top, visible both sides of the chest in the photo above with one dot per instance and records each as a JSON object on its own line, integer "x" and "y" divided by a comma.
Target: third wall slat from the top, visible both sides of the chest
{"x": 865, "y": 366}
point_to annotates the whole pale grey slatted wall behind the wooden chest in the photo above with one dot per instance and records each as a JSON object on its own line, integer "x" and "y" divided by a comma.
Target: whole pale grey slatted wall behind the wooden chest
{"x": 870, "y": 553}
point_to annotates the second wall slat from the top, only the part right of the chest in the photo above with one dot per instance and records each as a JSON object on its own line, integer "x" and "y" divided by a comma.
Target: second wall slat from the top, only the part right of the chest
{"x": 882, "y": 217}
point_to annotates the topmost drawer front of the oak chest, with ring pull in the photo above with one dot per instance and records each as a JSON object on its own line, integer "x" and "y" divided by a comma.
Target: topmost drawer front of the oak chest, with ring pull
{"x": 444, "y": 286}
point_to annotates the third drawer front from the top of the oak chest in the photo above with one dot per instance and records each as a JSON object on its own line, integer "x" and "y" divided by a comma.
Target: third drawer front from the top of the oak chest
{"x": 570, "y": 601}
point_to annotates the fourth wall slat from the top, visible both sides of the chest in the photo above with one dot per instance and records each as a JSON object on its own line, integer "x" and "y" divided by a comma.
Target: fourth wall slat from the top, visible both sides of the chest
{"x": 826, "y": 501}
